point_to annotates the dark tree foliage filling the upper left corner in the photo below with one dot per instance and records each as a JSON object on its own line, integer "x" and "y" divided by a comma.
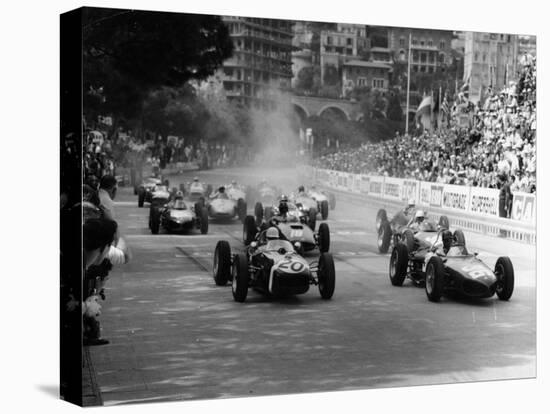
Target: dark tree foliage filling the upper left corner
{"x": 129, "y": 53}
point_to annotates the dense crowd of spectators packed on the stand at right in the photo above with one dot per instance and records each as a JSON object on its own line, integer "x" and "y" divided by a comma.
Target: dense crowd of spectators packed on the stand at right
{"x": 498, "y": 146}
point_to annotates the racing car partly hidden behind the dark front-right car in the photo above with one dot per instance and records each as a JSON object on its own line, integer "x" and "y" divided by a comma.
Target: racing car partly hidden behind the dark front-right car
{"x": 391, "y": 232}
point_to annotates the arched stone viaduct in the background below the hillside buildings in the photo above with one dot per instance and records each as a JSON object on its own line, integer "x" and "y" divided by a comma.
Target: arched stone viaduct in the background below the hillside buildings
{"x": 306, "y": 106}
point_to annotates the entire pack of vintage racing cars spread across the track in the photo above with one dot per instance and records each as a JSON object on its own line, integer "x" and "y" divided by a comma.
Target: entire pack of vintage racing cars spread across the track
{"x": 276, "y": 263}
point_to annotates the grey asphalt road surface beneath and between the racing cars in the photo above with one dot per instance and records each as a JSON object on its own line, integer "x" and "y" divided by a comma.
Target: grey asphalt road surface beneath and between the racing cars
{"x": 175, "y": 335}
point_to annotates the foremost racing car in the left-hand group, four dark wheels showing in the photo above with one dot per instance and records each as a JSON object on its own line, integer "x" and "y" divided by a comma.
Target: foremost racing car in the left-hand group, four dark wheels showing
{"x": 176, "y": 215}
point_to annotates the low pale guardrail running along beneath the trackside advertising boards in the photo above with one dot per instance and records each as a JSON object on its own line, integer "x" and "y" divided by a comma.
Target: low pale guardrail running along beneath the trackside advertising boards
{"x": 490, "y": 226}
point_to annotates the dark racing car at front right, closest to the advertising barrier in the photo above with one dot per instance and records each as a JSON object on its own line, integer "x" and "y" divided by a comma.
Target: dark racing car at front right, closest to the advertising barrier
{"x": 455, "y": 271}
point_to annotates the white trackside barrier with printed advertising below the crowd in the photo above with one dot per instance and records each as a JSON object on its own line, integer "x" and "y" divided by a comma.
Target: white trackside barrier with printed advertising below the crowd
{"x": 471, "y": 208}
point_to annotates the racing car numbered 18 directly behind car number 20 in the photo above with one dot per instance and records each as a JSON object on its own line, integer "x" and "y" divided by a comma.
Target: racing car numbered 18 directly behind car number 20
{"x": 293, "y": 231}
